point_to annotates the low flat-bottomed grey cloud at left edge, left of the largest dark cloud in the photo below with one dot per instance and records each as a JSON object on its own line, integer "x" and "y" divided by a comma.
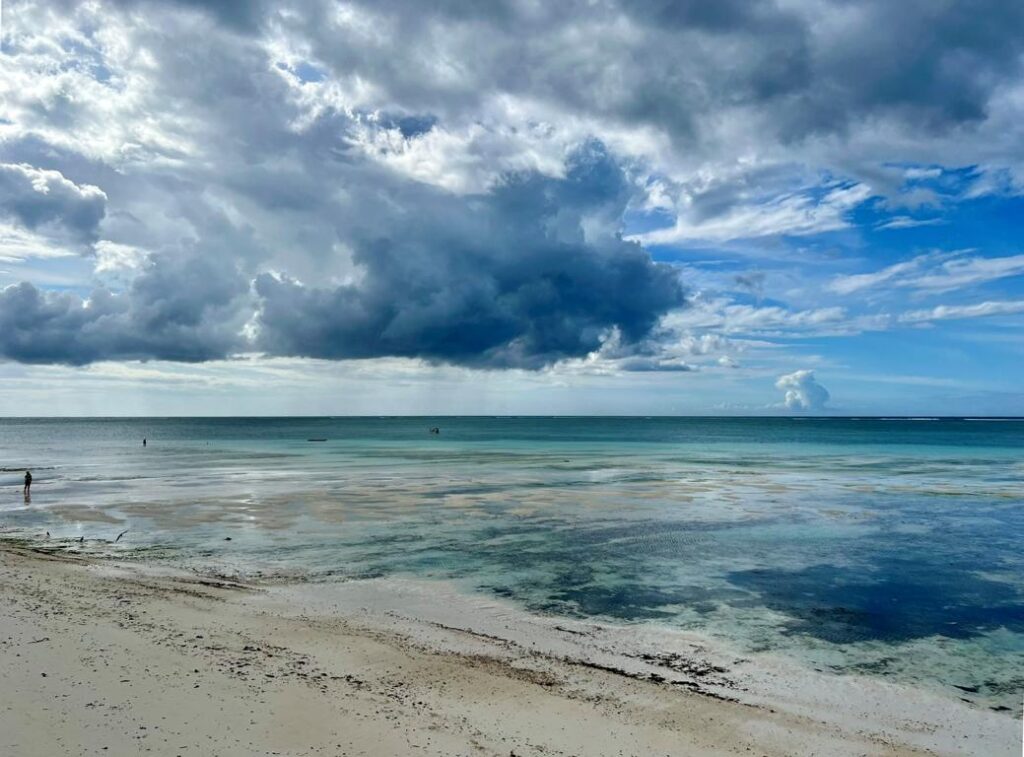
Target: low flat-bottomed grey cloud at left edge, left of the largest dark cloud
{"x": 183, "y": 308}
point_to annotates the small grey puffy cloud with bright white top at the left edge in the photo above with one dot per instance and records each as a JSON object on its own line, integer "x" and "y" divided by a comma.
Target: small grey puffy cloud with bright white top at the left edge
{"x": 46, "y": 201}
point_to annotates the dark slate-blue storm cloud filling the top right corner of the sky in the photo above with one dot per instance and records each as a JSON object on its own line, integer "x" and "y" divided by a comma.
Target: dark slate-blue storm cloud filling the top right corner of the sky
{"x": 931, "y": 65}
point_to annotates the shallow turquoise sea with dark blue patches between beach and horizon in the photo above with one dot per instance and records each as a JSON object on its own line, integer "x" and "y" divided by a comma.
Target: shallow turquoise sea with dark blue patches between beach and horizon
{"x": 886, "y": 548}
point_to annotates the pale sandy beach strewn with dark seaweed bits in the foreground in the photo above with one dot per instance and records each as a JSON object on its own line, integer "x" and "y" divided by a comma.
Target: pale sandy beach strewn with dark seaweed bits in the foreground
{"x": 182, "y": 664}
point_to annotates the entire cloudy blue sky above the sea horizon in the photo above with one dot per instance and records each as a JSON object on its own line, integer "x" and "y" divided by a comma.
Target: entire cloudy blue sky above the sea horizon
{"x": 740, "y": 207}
